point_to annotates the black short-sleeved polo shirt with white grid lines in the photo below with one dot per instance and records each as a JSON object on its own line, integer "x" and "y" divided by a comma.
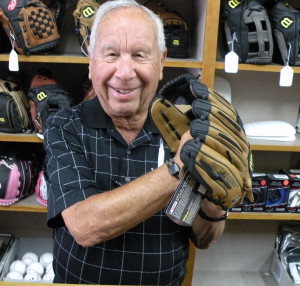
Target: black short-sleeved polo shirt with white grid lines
{"x": 86, "y": 155}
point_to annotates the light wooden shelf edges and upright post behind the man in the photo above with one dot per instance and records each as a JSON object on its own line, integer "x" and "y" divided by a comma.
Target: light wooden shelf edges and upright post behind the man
{"x": 208, "y": 65}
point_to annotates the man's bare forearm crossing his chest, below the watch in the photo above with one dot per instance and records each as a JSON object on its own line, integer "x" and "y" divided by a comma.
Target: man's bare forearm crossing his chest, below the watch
{"x": 104, "y": 216}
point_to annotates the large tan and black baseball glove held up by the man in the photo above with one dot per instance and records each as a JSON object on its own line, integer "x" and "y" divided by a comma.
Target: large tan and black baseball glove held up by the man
{"x": 219, "y": 155}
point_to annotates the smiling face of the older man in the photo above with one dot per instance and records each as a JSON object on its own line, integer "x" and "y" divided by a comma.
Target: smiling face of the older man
{"x": 127, "y": 65}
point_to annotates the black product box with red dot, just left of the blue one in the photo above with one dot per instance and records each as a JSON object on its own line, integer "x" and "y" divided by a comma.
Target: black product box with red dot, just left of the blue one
{"x": 259, "y": 189}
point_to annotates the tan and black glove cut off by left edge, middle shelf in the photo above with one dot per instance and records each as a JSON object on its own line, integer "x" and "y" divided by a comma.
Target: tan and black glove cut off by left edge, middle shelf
{"x": 14, "y": 108}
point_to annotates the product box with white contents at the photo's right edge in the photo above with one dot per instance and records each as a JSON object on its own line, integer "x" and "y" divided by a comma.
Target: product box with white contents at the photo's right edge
{"x": 294, "y": 194}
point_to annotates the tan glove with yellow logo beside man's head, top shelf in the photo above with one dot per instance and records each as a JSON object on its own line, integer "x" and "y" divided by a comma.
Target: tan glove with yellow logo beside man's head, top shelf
{"x": 84, "y": 15}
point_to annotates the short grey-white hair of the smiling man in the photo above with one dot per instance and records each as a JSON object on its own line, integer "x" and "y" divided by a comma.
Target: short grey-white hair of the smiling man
{"x": 115, "y": 4}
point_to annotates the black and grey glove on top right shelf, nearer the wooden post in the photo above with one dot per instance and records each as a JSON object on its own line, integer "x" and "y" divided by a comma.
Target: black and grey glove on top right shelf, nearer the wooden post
{"x": 249, "y": 20}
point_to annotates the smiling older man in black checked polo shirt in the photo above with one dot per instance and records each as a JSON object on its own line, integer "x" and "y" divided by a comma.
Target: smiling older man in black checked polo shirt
{"x": 106, "y": 190}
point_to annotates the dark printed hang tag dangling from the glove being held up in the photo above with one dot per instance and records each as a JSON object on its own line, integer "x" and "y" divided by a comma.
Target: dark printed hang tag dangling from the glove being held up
{"x": 185, "y": 202}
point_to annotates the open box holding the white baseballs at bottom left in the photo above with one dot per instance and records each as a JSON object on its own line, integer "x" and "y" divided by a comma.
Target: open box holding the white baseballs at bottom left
{"x": 21, "y": 246}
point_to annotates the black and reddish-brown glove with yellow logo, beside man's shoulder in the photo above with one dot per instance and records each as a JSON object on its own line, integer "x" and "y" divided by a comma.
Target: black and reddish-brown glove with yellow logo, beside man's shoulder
{"x": 46, "y": 97}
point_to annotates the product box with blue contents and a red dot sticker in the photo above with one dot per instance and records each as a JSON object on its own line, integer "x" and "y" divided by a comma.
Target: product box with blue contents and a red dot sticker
{"x": 278, "y": 192}
